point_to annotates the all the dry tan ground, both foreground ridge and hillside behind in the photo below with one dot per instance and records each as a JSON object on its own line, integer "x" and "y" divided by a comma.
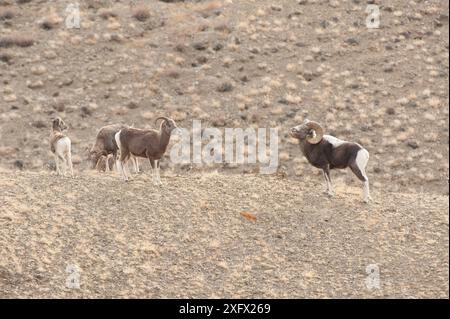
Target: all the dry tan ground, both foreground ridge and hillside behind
{"x": 228, "y": 63}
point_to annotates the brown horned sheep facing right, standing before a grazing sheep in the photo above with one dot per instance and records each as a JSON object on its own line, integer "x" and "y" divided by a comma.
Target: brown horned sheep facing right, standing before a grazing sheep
{"x": 151, "y": 144}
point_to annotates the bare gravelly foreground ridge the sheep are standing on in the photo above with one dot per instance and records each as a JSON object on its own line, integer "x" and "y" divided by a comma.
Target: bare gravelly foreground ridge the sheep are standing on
{"x": 189, "y": 239}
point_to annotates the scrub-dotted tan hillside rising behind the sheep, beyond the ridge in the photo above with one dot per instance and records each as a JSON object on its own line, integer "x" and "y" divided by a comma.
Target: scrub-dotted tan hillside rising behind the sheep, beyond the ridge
{"x": 233, "y": 64}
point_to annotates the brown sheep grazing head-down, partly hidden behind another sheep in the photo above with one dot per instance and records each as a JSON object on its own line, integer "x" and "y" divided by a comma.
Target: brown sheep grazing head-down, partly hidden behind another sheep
{"x": 105, "y": 147}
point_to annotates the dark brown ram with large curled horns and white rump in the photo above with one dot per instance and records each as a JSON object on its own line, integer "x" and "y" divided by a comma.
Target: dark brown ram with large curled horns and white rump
{"x": 328, "y": 152}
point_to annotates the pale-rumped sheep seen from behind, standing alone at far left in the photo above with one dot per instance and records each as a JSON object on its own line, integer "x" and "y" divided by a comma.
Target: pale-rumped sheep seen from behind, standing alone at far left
{"x": 60, "y": 145}
